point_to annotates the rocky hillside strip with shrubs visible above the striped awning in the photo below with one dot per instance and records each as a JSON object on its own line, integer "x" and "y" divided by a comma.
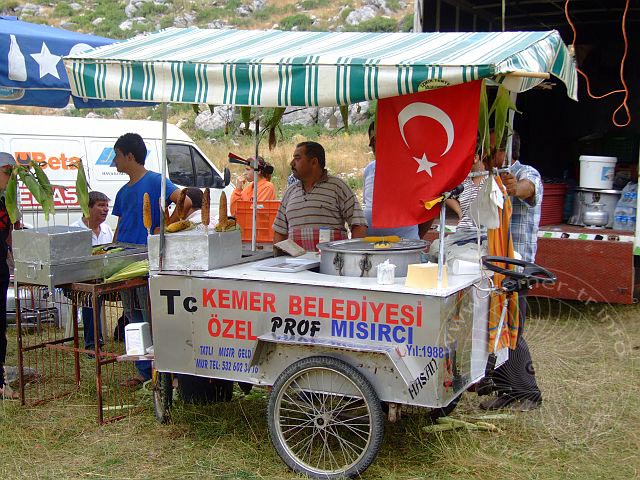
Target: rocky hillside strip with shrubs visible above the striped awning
{"x": 124, "y": 19}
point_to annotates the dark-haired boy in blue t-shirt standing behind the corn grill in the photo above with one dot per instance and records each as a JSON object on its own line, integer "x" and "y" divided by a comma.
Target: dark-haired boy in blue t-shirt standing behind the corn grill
{"x": 131, "y": 153}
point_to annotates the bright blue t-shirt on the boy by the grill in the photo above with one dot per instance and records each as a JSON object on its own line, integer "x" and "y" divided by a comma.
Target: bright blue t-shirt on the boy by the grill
{"x": 128, "y": 206}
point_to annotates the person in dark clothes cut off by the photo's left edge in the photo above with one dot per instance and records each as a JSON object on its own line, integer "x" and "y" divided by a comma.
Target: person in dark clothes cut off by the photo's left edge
{"x": 6, "y": 163}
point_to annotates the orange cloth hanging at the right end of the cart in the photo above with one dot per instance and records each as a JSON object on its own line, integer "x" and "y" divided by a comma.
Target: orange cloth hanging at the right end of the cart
{"x": 501, "y": 245}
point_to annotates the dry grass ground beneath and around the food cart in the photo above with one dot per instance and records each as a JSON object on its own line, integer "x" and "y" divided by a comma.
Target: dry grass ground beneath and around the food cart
{"x": 586, "y": 357}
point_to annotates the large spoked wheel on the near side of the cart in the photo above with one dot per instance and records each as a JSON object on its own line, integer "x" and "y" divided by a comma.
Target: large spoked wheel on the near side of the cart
{"x": 325, "y": 418}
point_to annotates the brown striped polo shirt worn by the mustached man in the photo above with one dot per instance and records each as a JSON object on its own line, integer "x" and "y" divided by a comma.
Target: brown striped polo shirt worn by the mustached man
{"x": 330, "y": 203}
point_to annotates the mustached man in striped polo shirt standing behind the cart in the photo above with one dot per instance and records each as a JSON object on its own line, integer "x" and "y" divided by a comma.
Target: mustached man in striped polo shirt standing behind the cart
{"x": 316, "y": 200}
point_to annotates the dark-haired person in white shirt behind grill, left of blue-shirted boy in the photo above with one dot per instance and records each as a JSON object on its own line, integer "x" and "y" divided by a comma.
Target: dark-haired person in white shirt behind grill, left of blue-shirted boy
{"x": 101, "y": 233}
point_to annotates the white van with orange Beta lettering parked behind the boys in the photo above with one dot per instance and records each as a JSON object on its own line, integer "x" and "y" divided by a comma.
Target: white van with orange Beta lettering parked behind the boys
{"x": 59, "y": 141}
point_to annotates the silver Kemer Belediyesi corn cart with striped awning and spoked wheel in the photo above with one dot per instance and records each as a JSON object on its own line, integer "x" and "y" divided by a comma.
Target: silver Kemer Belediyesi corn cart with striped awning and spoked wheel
{"x": 337, "y": 350}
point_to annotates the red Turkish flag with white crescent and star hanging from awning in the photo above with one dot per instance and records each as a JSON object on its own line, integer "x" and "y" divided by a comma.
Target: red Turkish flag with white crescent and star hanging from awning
{"x": 425, "y": 144}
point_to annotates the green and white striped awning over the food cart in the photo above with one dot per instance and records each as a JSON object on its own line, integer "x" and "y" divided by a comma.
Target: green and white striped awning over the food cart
{"x": 275, "y": 68}
